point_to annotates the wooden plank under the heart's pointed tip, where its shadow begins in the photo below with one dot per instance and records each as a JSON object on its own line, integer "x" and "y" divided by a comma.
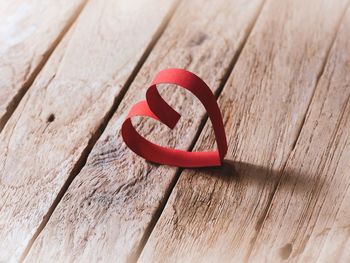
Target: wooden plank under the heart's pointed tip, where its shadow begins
{"x": 213, "y": 215}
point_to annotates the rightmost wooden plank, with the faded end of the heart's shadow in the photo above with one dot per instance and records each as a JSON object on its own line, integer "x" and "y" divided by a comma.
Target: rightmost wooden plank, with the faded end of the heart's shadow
{"x": 309, "y": 218}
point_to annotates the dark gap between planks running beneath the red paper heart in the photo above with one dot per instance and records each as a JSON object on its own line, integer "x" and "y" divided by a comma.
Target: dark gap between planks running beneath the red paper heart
{"x": 201, "y": 126}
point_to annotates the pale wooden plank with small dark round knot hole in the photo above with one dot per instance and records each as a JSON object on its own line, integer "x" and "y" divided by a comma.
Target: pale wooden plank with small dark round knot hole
{"x": 51, "y": 132}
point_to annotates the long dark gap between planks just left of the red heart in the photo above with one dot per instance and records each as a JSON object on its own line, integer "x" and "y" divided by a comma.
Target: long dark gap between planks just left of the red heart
{"x": 84, "y": 155}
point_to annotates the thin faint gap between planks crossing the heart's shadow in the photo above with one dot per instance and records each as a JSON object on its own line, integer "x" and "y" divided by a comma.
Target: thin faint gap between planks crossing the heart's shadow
{"x": 319, "y": 75}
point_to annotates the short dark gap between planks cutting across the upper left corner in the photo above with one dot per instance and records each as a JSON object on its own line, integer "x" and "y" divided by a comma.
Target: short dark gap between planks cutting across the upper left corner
{"x": 28, "y": 83}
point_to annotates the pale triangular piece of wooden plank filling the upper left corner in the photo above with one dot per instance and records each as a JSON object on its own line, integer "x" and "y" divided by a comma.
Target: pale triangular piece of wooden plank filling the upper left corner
{"x": 28, "y": 34}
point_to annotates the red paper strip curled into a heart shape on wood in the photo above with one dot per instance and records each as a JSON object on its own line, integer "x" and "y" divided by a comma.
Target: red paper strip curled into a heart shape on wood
{"x": 155, "y": 107}
